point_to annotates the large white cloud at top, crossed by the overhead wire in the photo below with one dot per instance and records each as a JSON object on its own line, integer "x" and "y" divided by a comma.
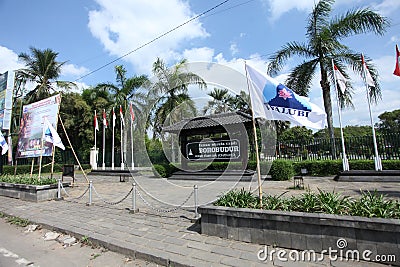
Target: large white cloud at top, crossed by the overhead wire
{"x": 128, "y": 25}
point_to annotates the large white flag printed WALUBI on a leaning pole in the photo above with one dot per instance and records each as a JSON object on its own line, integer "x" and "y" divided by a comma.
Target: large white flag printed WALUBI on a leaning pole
{"x": 274, "y": 101}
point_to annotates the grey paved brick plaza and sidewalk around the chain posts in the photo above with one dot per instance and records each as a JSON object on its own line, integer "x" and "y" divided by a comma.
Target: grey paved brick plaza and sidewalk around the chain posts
{"x": 163, "y": 230}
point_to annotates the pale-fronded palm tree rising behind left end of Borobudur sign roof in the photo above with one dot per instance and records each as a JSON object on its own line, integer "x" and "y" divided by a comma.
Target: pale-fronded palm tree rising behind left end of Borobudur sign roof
{"x": 171, "y": 88}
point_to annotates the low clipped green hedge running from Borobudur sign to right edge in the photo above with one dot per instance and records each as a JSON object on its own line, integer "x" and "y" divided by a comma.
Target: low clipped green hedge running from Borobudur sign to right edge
{"x": 285, "y": 169}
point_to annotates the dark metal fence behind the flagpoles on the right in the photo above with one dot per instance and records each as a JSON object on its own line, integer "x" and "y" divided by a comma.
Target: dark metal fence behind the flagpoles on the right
{"x": 356, "y": 148}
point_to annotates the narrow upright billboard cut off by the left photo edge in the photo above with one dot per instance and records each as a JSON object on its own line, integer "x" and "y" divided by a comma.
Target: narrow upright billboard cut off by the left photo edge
{"x": 6, "y": 94}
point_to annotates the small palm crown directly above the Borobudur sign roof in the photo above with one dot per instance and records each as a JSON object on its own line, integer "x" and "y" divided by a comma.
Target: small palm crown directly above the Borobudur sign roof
{"x": 220, "y": 102}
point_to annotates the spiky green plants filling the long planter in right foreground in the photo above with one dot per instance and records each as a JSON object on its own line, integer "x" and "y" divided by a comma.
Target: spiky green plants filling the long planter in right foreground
{"x": 369, "y": 204}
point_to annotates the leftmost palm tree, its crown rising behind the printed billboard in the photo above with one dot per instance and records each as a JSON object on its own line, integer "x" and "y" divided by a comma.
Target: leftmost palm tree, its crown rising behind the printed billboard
{"x": 43, "y": 69}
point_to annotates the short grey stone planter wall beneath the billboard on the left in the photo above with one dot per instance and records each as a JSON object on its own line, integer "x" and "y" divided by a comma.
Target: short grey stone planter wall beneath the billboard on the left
{"x": 34, "y": 193}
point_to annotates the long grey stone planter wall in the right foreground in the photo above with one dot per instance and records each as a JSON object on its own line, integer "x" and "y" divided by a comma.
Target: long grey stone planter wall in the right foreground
{"x": 303, "y": 231}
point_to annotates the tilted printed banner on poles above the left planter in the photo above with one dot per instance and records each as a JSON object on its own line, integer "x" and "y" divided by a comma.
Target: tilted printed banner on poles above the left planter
{"x": 32, "y": 123}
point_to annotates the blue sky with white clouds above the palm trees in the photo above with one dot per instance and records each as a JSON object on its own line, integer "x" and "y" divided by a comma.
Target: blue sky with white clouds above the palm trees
{"x": 91, "y": 33}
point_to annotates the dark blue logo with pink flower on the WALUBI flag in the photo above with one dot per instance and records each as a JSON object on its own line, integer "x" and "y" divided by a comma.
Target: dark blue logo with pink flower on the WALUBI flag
{"x": 284, "y": 97}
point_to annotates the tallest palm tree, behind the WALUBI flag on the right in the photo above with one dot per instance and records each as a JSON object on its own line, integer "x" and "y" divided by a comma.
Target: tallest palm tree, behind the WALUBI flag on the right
{"x": 323, "y": 44}
